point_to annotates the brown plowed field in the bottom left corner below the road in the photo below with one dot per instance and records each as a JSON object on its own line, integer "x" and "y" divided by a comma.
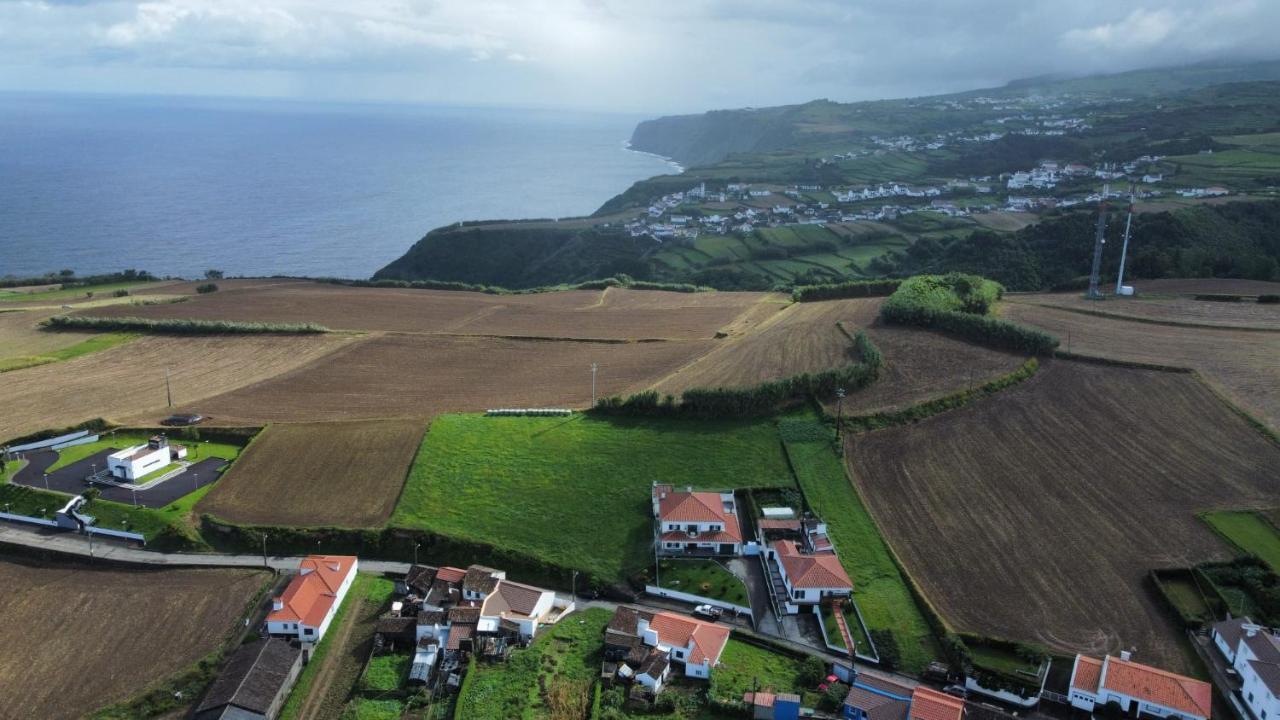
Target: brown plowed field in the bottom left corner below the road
{"x": 77, "y": 639}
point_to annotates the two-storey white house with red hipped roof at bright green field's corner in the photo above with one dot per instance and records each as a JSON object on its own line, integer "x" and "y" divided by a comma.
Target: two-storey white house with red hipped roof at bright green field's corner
{"x": 697, "y": 523}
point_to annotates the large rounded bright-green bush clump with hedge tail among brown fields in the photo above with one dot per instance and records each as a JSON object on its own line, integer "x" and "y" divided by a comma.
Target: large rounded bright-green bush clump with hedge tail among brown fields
{"x": 958, "y": 304}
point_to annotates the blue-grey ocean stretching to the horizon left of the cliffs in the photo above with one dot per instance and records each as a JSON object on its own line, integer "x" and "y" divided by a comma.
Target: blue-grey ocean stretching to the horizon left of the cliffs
{"x": 260, "y": 188}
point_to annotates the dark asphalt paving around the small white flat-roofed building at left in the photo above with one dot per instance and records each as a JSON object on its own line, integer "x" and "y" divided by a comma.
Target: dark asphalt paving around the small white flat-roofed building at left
{"x": 72, "y": 480}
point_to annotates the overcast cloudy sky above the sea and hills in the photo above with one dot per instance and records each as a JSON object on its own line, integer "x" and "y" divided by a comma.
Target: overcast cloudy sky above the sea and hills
{"x": 630, "y": 56}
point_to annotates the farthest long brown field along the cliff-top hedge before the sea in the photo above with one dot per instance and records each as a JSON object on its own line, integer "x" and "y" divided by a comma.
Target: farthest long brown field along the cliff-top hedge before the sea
{"x": 615, "y": 315}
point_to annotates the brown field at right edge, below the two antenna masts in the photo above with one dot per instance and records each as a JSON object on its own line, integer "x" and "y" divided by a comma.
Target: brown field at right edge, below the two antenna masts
{"x": 1240, "y": 363}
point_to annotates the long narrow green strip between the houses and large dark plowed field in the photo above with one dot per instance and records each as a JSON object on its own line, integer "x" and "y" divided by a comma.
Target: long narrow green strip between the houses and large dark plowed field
{"x": 880, "y": 587}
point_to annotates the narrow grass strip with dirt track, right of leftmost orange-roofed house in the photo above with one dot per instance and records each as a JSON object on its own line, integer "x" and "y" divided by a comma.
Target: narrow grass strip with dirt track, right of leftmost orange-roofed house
{"x": 339, "y": 660}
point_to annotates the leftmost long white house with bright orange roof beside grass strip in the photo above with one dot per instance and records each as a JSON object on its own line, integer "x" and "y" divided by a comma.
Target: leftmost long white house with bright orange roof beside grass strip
{"x": 313, "y": 598}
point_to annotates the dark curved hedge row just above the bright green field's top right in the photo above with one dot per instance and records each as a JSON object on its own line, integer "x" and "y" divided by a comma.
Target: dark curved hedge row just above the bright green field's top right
{"x": 764, "y": 399}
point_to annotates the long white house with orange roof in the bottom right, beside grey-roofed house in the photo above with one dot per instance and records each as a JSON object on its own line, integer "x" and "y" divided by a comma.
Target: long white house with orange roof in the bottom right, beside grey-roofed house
{"x": 1139, "y": 689}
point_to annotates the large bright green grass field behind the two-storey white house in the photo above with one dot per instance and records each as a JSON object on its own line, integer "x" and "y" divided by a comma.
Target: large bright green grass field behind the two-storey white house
{"x": 575, "y": 491}
